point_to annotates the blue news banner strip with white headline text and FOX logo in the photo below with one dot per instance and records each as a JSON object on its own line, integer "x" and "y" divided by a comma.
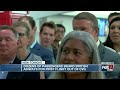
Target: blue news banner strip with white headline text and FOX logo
{"x": 57, "y": 67}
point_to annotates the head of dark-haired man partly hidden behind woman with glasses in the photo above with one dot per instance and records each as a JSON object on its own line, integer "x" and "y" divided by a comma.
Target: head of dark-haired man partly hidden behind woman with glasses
{"x": 31, "y": 24}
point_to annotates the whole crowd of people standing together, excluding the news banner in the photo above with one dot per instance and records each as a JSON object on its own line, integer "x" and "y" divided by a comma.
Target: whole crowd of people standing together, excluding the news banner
{"x": 80, "y": 46}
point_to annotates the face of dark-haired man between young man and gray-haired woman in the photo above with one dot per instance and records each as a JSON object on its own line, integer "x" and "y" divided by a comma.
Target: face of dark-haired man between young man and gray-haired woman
{"x": 59, "y": 34}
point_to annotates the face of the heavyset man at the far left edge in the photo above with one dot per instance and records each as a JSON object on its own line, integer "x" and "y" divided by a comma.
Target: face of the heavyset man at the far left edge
{"x": 8, "y": 43}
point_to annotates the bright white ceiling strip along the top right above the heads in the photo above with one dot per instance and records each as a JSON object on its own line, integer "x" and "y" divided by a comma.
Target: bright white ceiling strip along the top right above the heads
{"x": 98, "y": 14}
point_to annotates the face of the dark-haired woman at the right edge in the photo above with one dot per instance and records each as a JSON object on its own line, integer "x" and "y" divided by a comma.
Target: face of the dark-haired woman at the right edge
{"x": 115, "y": 32}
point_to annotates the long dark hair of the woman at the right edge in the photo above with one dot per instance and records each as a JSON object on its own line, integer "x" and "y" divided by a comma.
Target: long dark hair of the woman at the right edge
{"x": 108, "y": 41}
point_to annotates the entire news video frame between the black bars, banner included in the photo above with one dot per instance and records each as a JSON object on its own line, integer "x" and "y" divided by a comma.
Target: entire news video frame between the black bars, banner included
{"x": 59, "y": 44}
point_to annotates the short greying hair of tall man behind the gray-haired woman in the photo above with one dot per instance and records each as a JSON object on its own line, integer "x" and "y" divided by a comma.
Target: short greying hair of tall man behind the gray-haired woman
{"x": 87, "y": 16}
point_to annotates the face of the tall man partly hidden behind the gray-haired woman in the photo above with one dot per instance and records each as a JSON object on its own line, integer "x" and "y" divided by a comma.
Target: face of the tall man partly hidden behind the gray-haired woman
{"x": 85, "y": 25}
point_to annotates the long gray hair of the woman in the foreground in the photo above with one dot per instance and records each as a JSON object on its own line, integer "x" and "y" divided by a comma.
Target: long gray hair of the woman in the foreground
{"x": 88, "y": 39}
